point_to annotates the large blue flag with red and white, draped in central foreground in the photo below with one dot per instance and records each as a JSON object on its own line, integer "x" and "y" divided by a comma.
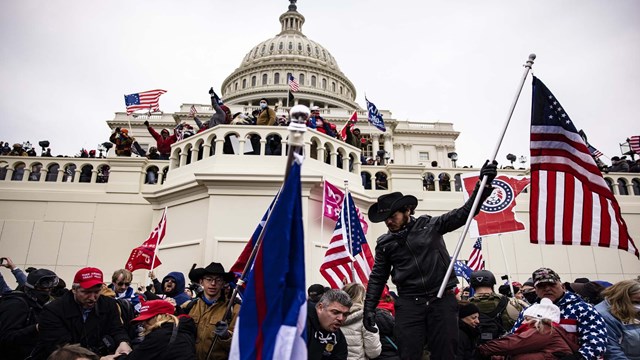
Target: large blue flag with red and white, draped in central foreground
{"x": 273, "y": 316}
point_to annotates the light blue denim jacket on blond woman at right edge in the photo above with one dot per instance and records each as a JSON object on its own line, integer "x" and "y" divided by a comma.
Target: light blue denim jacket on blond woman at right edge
{"x": 623, "y": 340}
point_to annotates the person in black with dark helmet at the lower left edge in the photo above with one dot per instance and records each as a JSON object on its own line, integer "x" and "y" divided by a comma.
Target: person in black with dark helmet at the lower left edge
{"x": 20, "y": 313}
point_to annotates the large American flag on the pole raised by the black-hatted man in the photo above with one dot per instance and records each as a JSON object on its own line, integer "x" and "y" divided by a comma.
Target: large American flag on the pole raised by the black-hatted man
{"x": 571, "y": 203}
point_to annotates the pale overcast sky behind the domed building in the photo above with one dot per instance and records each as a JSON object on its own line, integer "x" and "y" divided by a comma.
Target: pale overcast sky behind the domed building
{"x": 65, "y": 65}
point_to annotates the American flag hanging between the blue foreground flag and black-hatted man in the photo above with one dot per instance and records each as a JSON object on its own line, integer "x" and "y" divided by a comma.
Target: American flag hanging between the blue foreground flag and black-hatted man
{"x": 337, "y": 263}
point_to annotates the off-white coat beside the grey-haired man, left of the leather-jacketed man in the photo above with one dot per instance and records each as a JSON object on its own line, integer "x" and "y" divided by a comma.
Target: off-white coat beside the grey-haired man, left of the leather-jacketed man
{"x": 360, "y": 341}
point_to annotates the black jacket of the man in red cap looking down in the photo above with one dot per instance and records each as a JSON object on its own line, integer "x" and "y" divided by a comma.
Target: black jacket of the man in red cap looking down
{"x": 61, "y": 323}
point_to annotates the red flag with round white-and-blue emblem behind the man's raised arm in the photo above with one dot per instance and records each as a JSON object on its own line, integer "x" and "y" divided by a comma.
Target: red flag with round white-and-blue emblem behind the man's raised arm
{"x": 496, "y": 215}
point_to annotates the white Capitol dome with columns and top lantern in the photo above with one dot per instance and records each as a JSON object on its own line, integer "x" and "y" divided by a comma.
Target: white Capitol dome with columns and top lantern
{"x": 264, "y": 71}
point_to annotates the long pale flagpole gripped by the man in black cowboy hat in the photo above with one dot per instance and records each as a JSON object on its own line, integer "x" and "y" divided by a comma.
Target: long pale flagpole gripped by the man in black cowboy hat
{"x": 476, "y": 201}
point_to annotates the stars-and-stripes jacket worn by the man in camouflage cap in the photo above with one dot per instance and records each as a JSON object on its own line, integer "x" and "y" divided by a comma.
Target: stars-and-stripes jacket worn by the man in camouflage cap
{"x": 580, "y": 318}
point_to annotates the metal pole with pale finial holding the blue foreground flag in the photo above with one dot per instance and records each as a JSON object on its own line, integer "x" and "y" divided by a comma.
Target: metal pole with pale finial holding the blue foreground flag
{"x": 297, "y": 127}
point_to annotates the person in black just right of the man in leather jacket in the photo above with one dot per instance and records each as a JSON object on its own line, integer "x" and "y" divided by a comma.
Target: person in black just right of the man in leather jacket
{"x": 468, "y": 321}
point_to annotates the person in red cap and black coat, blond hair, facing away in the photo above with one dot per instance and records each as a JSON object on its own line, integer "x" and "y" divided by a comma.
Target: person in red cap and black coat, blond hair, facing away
{"x": 165, "y": 336}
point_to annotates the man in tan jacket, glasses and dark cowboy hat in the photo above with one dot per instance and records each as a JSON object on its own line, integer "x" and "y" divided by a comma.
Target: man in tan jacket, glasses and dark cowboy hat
{"x": 209, "y": 309}
